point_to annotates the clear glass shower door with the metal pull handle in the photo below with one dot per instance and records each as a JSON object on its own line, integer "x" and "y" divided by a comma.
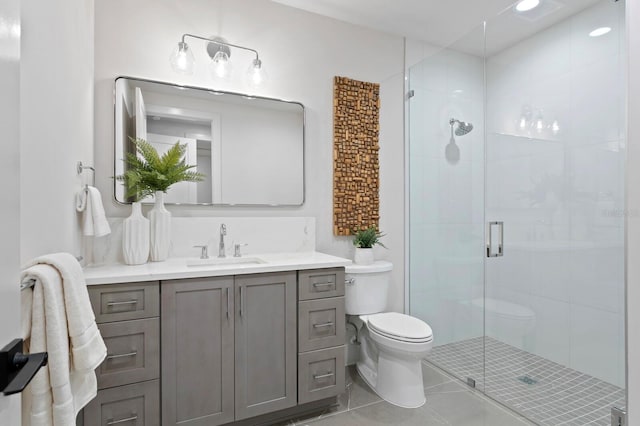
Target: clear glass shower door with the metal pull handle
{"x": 554, "y": 303}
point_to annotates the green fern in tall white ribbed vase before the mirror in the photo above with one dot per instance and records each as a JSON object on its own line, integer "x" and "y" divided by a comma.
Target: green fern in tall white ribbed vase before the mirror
{"x": 149, "y": 173}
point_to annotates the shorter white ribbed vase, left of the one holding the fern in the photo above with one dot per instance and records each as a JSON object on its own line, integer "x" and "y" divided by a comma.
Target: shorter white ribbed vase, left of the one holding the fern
{"x": 135, "y": 237}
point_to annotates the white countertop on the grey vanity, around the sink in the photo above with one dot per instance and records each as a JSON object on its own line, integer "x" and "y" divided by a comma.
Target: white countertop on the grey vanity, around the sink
{"x": 176, "y": 268}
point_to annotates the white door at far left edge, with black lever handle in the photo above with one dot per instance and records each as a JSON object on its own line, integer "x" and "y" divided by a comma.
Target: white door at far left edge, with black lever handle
{"x": 9, "y": 173}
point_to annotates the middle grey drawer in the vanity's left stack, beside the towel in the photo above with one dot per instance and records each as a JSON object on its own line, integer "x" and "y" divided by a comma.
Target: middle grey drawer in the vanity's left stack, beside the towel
{"x": 133, "y": 349}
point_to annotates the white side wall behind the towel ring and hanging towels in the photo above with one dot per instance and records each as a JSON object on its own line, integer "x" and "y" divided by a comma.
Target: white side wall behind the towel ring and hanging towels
{"x": 56, "y": 122}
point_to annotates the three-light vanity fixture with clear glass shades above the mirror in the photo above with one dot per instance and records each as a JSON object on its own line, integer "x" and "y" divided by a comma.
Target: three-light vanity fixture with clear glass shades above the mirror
{"x": 183, "y": 61}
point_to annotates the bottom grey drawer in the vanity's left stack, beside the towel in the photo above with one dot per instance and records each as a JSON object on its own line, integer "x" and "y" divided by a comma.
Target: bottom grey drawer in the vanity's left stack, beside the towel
{"x": 131, "y": 405}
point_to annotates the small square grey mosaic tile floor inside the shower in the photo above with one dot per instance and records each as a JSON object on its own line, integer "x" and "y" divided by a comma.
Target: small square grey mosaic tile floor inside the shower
{"x": 559, "y": 396}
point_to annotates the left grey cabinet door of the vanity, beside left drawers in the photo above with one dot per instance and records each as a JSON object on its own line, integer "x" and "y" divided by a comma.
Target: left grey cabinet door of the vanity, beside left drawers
{"x": 197, "y": 351}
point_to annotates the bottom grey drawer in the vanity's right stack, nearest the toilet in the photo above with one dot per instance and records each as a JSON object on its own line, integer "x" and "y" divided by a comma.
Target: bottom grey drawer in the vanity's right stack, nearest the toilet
{"x": 321, "y": 374}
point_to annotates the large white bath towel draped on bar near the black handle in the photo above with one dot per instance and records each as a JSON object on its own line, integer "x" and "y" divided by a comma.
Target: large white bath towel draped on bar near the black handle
{"x": 62, "y": 324}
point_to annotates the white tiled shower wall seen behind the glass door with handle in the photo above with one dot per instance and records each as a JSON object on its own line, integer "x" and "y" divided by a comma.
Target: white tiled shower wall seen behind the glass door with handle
{"x": 561, "y": 194}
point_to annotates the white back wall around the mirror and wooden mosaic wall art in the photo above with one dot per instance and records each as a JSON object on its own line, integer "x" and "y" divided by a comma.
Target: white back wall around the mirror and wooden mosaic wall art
{"x": 302, "y": 52}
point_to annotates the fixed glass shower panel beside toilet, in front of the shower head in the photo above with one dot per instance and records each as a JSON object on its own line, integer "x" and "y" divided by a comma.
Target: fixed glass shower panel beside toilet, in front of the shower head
{"x": 446, "y": 162}
